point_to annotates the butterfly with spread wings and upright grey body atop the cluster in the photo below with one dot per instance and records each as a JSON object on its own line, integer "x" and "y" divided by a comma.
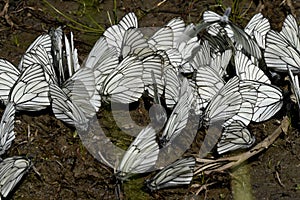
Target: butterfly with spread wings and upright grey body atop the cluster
{"x": 240, "y": 36}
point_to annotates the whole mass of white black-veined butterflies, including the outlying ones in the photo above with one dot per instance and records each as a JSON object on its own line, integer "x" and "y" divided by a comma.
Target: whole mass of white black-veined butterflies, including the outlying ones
{"x": 215, "y": 76}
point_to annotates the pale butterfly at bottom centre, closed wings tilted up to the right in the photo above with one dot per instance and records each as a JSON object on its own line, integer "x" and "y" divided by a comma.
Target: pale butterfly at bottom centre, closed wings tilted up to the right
{"x": 140, "y": 156}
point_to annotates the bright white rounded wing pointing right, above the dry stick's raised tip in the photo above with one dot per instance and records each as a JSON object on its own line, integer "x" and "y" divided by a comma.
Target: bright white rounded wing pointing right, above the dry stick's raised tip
{"x": 266, "y": 99}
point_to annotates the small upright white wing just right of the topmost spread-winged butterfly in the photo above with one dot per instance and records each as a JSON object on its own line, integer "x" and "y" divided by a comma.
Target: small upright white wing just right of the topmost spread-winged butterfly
{"x": 257, "y": 28}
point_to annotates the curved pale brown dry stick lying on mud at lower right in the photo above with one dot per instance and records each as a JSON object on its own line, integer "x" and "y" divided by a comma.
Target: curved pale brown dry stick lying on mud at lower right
{"x": 233, "y": 161}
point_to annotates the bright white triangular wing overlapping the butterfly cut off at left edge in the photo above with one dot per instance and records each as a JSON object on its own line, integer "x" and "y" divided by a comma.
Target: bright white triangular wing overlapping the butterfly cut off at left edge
{"x": 30, "y": 91}
